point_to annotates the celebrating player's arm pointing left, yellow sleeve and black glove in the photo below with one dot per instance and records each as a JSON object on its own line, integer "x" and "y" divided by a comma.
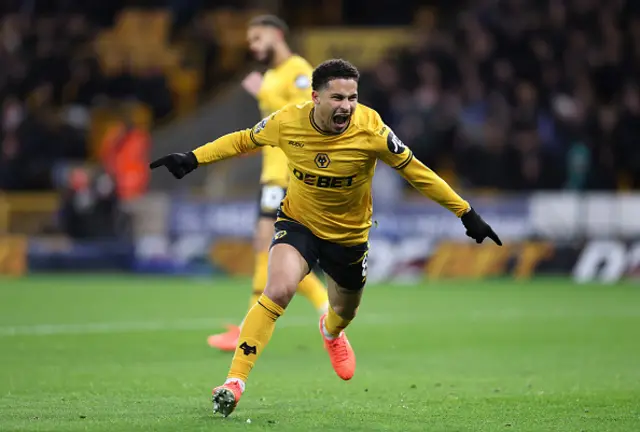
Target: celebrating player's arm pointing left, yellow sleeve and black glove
{"x": 227, "y": 146}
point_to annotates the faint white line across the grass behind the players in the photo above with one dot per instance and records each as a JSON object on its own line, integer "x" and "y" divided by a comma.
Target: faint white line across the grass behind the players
{"x": 156, "y": 326}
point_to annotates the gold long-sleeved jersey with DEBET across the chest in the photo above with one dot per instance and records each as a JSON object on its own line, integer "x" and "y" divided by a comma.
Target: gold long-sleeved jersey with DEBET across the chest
{"x": 331, "y": 174}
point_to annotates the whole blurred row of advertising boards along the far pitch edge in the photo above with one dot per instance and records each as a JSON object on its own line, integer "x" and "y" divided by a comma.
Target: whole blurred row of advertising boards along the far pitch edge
{"x": 410, "y": 242}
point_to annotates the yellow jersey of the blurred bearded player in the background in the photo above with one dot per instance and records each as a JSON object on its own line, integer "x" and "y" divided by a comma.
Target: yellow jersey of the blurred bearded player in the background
{"x": 290, "y": 82}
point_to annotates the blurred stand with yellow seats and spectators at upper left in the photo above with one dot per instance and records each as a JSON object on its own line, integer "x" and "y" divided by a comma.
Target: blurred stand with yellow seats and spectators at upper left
{"x": 68, "y": 76}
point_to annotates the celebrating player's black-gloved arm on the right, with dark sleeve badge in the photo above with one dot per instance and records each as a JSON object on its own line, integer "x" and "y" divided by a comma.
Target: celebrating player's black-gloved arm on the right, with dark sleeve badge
{"x": 394, "y": 153}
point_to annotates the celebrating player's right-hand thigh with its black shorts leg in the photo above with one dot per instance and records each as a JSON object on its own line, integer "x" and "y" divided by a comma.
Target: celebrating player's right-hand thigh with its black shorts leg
{"x": 346, "y": 270}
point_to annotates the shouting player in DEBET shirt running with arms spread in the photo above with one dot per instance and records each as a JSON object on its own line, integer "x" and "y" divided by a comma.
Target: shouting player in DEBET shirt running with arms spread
{"x": 332, "y": 144}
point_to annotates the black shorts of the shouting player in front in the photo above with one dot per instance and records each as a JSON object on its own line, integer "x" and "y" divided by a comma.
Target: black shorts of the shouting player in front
{"x": 347, "y": 265}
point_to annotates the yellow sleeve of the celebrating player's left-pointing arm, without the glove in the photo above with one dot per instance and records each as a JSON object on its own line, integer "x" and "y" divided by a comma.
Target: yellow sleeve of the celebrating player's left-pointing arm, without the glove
{"x": 265, "y": 133}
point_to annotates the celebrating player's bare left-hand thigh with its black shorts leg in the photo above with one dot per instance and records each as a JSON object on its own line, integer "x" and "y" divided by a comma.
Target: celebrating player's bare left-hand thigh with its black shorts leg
{"x": 292, "y": 254}
